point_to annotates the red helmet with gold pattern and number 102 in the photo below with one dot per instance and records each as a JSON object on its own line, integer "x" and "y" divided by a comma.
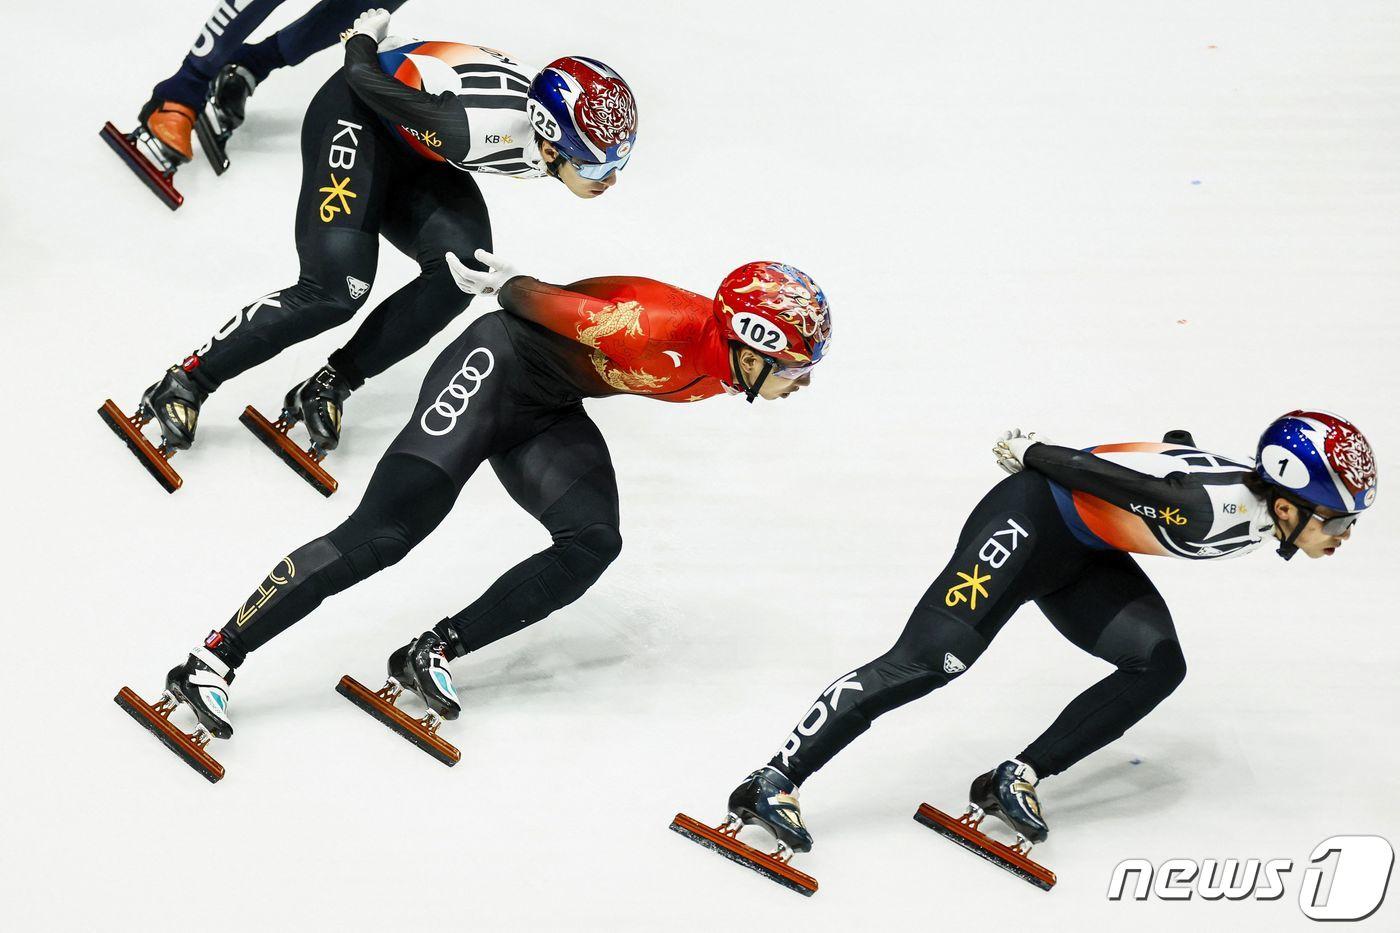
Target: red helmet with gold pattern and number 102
{"x": 779, "y": 312}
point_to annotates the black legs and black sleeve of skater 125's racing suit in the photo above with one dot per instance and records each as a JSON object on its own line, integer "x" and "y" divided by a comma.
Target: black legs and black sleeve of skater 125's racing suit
{"x": 360, "y": 183}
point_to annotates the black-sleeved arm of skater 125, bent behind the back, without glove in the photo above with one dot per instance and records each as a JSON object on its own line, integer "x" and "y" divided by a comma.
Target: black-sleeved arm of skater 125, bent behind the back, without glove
{"x": 440, "y": 116}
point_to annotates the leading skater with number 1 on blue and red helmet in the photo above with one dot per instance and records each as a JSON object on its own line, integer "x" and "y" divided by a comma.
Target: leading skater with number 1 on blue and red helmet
{"x": 1060, "y": 533}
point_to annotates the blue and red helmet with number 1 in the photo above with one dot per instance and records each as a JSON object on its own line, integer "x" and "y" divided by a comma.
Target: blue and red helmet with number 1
{"x": 1319, "y": 459}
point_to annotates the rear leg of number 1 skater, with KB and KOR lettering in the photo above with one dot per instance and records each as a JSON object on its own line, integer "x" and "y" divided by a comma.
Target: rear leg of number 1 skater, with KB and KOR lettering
{"x": 1013, "y": 547}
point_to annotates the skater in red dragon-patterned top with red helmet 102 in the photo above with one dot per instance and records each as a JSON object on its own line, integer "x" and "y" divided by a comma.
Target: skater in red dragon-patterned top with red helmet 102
{"x": 510, "y": 392}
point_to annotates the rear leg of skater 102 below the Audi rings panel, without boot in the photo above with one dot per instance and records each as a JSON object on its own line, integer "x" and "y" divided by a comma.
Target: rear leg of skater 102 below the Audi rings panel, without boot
{"x": 407, "y": 499}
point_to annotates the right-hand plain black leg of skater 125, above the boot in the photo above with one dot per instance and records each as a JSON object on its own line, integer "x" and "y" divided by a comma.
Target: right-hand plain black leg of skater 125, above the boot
{"x": 432, "y": 211}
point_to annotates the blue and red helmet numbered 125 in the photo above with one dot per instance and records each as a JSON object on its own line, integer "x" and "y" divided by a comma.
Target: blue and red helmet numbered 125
{"x": 586, "y": 110}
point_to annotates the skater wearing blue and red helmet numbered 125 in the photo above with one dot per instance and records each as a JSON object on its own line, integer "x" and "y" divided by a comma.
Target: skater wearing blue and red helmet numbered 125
{"x": 390, "y": 148}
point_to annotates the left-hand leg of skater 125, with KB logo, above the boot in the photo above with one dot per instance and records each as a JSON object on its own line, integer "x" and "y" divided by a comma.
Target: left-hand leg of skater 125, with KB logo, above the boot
{"x": 348, "y": 169}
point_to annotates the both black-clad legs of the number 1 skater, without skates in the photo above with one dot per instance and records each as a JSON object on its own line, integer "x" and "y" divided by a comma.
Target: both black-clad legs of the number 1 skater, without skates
{"x": 1014, "y": 548}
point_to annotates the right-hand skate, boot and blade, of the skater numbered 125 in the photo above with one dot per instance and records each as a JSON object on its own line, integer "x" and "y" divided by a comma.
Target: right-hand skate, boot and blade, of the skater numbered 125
{"x": 318, "y": 404}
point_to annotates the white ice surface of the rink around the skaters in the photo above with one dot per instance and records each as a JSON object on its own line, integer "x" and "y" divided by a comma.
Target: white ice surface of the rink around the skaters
{"x": 1100, "y": 221}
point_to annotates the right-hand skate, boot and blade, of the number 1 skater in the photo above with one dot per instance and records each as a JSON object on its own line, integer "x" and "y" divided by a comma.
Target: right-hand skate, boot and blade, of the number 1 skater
{"x": 1007, "y": 792}
